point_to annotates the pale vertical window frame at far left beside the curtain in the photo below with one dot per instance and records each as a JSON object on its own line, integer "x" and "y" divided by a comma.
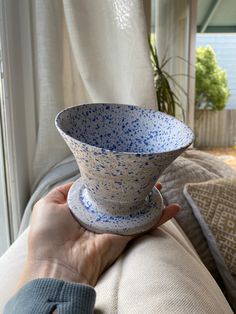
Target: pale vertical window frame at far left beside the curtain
{"x": 18, "y": 110}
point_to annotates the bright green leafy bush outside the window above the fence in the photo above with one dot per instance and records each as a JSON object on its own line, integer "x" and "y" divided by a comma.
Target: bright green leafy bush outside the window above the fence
{"x": 212, "y": 90}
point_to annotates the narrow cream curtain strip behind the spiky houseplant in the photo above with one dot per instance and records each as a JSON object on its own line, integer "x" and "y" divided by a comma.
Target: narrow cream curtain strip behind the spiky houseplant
{"x": 172, "y": 35}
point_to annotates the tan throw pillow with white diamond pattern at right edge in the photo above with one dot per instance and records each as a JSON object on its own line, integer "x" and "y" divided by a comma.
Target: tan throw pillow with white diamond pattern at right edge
{"x": 214, "y": 206}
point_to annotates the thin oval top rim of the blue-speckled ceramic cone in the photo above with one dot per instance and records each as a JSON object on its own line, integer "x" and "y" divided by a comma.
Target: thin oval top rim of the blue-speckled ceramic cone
{"x": 106, "y": 151}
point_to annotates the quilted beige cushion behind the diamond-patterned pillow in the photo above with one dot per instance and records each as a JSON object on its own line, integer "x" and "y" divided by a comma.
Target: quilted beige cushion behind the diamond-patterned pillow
{"x": 193, "y": 166}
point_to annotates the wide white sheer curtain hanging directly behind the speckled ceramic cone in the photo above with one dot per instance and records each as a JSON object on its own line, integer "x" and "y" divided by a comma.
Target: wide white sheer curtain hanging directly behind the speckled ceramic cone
{"x": 85, "y": 51}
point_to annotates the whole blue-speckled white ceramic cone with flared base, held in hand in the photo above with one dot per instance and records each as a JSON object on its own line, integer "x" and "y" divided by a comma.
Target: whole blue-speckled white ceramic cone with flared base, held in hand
{"x": 121, "y": 151}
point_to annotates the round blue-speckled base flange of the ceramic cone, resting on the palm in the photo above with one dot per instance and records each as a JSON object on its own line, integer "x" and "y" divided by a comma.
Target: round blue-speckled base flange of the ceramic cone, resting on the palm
{"x": 92, "y": 218}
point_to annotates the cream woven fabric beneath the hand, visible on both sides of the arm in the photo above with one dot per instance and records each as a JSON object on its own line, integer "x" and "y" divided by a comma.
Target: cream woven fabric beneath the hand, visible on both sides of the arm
{"x": 159, "y": 273}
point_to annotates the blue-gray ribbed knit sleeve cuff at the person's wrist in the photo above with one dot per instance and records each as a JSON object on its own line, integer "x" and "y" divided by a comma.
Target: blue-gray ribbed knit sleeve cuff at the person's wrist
{"x": 42, "y": 296}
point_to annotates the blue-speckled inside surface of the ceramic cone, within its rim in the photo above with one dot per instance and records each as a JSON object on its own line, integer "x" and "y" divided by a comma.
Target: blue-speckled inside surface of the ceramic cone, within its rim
{"x": 124, "y": 128}
